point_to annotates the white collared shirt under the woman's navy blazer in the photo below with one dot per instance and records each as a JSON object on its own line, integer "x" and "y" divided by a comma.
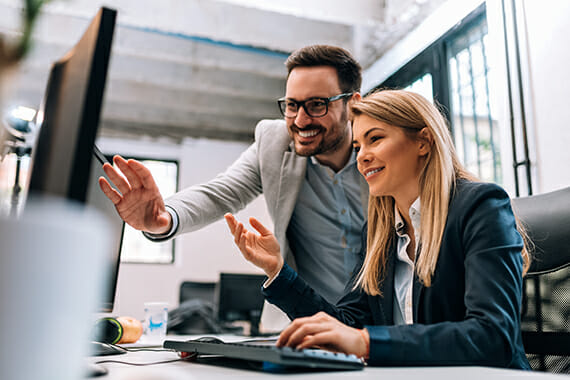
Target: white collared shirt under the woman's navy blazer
{"x": 404, "y": 267}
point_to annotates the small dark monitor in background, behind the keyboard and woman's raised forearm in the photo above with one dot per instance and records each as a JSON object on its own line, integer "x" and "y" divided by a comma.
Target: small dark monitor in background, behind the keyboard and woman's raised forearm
{"x": 239, "y": 299}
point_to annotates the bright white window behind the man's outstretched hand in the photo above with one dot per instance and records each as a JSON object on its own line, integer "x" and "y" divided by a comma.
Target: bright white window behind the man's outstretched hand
{"x": 135, "y": 247}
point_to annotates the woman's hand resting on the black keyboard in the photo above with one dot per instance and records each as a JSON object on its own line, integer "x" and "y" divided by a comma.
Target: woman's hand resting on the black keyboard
{"x": 322, "y": 330}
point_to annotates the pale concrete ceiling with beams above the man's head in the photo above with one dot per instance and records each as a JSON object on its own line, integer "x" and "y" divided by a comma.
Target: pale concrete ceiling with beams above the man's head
{"x": 203, "y": 68}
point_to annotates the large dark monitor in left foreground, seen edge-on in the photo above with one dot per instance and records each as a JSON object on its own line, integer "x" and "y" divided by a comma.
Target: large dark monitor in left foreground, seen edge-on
{"x": 65, "y": 162}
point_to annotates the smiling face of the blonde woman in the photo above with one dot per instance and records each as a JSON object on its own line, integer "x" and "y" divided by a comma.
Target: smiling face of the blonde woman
{"x": 388, "y": 159}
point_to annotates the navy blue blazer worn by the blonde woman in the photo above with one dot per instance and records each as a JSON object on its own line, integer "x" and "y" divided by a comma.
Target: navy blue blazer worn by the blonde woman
{"x": 470, "y": 315}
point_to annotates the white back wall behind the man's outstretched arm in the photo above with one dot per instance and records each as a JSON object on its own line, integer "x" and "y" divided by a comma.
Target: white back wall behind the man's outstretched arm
{"x": 200, "y": 255}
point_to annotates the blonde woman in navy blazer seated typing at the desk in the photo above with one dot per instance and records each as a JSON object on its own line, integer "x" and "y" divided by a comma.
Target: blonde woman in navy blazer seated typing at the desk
{"x": 440, "y": 282}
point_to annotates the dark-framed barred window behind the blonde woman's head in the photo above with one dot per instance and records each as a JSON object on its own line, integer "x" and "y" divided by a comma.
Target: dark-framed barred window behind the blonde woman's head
{"x": 454, "y": 72}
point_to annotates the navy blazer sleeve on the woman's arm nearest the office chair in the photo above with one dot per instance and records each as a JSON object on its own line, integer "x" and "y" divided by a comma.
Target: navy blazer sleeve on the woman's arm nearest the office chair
{"x": 489, "y": 334}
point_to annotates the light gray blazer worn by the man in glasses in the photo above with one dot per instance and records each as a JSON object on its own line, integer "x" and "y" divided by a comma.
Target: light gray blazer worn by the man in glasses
{"x": 269, "y": 166}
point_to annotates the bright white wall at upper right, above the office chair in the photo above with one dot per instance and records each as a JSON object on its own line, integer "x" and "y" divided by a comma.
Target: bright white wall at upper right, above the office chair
{"x": 547, "y": 31}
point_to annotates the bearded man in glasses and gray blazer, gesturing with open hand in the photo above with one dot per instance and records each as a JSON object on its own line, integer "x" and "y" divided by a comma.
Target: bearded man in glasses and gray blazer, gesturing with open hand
{"x": 304, "y": 166}
